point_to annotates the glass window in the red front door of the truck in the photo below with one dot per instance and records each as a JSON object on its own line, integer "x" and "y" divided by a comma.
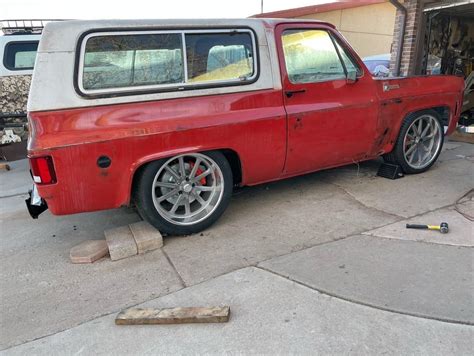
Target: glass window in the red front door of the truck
{"x": 310, "y": 56}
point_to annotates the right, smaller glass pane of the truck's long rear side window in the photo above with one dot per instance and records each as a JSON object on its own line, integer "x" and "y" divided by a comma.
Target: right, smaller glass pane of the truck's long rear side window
{"x": 219, "y": 56}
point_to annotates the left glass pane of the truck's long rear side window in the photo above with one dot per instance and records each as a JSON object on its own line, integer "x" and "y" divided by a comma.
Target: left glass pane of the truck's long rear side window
{"x": 132, "y": 60}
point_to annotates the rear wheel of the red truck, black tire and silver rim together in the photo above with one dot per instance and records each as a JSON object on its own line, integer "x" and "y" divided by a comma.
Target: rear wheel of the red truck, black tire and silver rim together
{"x": 184, "y": 194}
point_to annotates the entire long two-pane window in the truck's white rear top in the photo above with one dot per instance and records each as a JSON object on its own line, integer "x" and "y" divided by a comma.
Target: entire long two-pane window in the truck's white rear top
{"x": 169, "y": 60}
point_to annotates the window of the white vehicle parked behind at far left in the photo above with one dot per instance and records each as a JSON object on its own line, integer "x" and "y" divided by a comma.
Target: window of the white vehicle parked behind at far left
{"x": 20, "y": 55}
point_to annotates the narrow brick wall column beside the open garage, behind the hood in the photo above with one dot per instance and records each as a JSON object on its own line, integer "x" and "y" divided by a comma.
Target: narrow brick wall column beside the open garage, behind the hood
{"x": 412, "y": 38}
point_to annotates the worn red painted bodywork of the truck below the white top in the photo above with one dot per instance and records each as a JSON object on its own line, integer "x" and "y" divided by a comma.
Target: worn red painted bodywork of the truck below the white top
{"x": 331, "y": 124}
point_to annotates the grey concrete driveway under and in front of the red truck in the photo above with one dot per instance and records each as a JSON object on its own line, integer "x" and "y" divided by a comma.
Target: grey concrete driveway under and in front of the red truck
{"x": 319, "y": 263}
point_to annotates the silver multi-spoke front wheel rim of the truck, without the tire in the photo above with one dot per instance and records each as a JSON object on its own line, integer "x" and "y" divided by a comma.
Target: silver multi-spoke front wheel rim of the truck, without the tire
{"x": 422, "y": 141}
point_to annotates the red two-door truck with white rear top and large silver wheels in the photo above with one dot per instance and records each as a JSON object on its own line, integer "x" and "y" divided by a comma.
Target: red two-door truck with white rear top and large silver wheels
{"x": 171, "y": 115}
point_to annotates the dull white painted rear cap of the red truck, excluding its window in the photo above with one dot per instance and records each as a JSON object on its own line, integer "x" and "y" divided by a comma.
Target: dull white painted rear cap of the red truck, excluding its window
{"x": 52, "y": 85}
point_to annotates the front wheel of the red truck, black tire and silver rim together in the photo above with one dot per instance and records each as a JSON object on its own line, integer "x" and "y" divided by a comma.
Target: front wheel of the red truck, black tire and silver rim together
{"x": 419, "y": 142}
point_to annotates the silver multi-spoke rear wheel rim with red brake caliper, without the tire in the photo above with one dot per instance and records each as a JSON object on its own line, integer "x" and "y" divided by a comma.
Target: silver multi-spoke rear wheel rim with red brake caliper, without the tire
{"x": 187, "y": 188}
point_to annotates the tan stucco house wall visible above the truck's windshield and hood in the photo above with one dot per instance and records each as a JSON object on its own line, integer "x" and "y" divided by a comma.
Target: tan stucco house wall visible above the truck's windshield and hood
{"x": 368, "y": 28}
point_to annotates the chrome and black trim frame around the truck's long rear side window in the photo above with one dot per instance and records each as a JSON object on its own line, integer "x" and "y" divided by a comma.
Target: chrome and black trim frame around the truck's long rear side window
{"x": 157, "y": 88}
